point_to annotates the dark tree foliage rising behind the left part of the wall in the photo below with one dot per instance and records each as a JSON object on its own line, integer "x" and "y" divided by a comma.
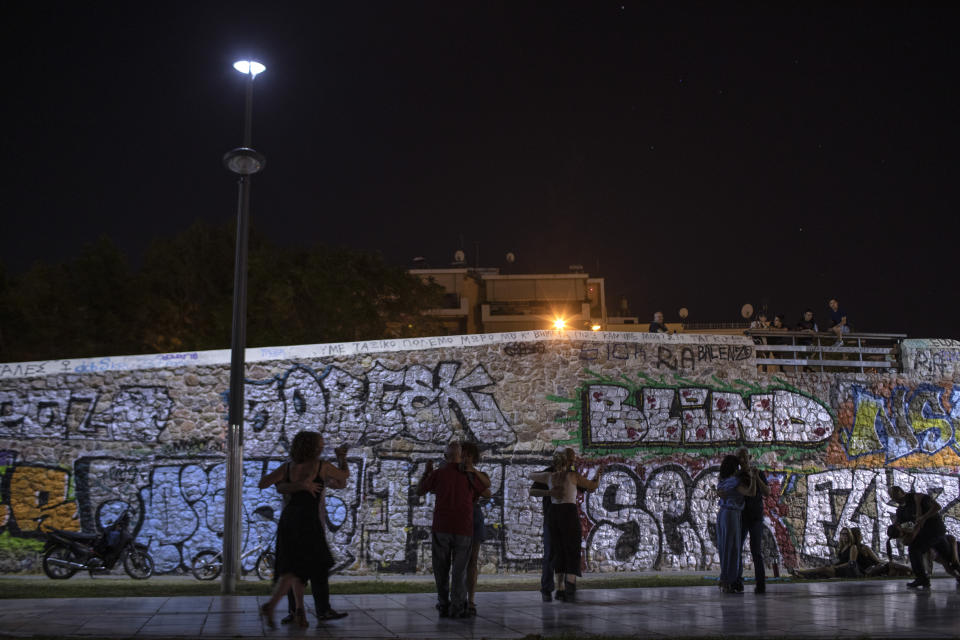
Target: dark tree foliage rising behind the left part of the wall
{"x": 181, "y": 298}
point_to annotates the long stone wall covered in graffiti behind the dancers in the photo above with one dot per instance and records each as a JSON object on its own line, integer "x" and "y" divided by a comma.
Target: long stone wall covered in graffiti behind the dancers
{"x": 82, "y": 439}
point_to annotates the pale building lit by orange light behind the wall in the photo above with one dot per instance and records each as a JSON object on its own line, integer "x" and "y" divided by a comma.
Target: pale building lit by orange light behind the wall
{"x": 486, "y": 301}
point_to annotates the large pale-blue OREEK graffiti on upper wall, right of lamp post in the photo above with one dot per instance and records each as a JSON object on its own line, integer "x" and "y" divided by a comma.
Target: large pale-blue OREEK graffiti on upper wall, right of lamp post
{"x": 415, "y": 402}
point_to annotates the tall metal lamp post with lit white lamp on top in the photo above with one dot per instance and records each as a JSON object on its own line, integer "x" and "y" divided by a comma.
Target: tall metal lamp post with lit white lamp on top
{"x": 244, "y": 162}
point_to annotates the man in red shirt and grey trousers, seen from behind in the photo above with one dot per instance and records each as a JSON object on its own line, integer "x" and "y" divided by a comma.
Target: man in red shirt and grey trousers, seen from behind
{"x": 455, "y": 492}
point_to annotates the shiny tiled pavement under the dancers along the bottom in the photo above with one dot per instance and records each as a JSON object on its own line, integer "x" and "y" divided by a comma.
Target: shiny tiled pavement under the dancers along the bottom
{"x": 831, "y": 609}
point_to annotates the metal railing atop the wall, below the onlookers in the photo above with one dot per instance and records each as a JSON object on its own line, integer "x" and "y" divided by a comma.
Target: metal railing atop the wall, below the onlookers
{"x": 810, "y": 351}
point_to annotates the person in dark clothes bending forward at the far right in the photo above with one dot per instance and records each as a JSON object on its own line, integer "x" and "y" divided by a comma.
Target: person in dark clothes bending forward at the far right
{"x": 926, "y": 532}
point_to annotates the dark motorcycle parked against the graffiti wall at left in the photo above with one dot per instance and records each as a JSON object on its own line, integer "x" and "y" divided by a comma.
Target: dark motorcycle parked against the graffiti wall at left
{"x": 67, "y": 552}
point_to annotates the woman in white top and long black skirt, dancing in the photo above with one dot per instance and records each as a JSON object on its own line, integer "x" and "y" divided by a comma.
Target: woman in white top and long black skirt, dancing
{"x": 566, "y": 535}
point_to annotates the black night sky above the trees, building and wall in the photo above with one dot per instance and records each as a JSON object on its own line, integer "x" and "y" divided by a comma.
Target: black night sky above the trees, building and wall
{"x": 694, "y": 155}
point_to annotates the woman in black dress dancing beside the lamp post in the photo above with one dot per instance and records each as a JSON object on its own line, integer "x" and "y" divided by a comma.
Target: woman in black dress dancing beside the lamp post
{"x": 302, "y": 550}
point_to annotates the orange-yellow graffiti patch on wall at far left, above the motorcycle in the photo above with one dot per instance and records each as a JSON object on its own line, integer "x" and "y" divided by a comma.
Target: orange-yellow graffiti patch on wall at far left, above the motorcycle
{"x": 39, "y": 499}
